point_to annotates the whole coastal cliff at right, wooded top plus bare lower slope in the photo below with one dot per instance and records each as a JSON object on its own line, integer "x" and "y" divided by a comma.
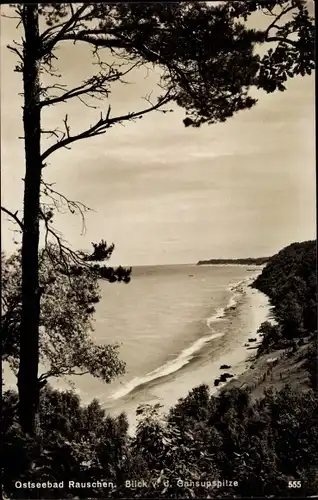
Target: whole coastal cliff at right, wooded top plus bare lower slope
{"x": 288, "y": 350}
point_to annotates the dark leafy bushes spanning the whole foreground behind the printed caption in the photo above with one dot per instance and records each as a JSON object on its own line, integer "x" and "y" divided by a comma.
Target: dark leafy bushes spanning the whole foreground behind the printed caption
{"x": 263, "y": 446}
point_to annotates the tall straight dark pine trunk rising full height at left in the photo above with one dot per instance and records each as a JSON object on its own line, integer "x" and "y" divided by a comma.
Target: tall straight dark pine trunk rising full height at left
{"x": 29, "y": 332}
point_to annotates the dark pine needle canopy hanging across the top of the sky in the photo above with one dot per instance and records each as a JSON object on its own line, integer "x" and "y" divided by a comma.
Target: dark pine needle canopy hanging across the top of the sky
{"x": 206, "y": 53}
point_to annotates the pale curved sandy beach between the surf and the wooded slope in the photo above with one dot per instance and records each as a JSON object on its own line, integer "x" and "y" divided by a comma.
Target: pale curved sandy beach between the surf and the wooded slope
{"x": 254, "y": 310}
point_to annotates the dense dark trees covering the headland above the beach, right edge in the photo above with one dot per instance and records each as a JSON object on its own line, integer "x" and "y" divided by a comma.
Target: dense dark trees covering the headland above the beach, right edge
{"x": 290, "y": 281}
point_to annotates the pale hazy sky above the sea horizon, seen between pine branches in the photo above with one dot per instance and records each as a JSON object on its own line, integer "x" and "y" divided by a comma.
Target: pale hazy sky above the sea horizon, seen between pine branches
{"x": 164, "y": 193}
